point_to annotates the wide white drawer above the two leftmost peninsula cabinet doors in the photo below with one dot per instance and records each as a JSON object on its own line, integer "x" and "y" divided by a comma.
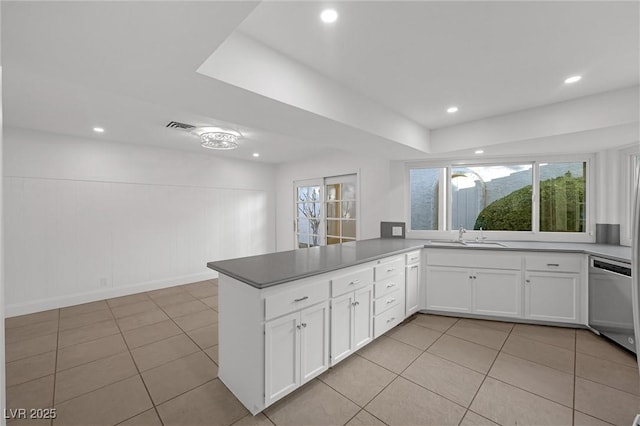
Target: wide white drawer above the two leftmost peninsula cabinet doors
{"x": 296, "y": 298}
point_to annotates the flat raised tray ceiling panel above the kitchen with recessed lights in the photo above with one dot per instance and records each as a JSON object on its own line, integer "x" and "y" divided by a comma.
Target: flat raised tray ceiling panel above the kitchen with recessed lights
{"x": 488, "y": 58}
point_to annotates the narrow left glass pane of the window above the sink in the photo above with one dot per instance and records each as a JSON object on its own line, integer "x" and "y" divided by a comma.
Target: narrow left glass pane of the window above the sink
{"x": 424, "y": 186}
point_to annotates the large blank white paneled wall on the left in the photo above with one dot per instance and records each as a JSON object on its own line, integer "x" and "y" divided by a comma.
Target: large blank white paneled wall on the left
{"x": 90, "y": 219}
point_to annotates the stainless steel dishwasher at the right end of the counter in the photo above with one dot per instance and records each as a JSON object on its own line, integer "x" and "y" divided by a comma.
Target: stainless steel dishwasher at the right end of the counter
{"x": 610, "y": 300}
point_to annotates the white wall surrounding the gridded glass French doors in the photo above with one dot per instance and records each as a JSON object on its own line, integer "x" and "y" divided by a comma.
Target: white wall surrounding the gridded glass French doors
{"x": 374, "y": 187}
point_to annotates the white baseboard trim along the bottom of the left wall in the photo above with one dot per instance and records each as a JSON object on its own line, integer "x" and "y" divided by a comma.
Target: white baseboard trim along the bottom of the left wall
{"x": 12, "y": 310}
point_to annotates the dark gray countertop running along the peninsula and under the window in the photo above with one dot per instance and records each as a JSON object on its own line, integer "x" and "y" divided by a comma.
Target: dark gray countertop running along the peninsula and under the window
{"x": 276, "y": 268}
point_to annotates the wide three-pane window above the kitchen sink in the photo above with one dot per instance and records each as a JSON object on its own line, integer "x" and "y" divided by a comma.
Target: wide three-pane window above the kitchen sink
{"x": 528, "y": 196}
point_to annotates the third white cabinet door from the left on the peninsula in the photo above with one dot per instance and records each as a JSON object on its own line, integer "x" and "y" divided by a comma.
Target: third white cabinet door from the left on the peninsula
{"x": 341, "y": 323}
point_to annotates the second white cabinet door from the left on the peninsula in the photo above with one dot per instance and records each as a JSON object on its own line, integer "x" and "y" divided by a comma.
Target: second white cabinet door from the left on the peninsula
{"x": 314, "y": 341}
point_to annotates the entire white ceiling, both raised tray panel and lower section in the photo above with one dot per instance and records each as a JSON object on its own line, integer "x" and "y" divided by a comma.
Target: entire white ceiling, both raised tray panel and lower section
{"x": 131, "y": 66}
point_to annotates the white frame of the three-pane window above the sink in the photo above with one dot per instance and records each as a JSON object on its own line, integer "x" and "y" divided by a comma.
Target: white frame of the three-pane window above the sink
{"x": 446, "y": 231}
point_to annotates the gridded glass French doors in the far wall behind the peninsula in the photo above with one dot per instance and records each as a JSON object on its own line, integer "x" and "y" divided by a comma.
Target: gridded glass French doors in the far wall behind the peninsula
{"x": 325, "y": 211}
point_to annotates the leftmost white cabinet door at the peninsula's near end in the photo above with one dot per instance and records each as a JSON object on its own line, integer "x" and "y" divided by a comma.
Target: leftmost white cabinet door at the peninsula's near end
{"x": 282, "y": 356}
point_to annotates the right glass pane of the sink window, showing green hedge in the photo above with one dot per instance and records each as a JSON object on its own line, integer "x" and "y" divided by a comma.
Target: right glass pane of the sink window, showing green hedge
{"x": 562, "y": 197}
